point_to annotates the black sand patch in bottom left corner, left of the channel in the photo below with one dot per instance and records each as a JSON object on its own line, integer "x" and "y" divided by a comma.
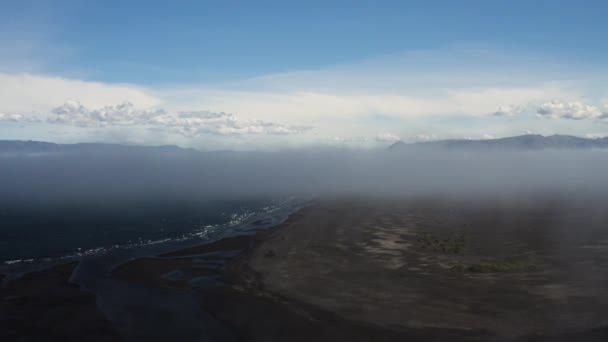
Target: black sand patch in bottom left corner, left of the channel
{"x": 44, "y": 306}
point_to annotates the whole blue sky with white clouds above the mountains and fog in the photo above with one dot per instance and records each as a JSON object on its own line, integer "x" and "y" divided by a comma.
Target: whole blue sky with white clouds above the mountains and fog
{"x": 292, "y": 73}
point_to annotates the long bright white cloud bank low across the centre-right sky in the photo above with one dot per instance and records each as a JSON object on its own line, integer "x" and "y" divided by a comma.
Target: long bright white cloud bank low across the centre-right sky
{"x": 312, "y": 106}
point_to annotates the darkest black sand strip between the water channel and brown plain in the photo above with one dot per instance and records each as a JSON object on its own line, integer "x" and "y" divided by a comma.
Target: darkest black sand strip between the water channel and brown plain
{"x": 256, "y": 314}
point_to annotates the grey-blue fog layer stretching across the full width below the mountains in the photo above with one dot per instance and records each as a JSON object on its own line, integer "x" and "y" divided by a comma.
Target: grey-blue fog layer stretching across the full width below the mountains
{"x": 115, "y": 177}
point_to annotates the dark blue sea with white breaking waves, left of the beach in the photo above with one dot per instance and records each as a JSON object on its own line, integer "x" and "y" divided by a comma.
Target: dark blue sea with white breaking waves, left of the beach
{"x": 31, "y": 233}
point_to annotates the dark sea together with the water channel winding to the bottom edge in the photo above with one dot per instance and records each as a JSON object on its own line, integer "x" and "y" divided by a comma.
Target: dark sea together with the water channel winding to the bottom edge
{"x": 33, "y": 238}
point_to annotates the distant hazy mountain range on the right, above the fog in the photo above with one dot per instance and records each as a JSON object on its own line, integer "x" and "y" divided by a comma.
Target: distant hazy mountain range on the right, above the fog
{"x": 522, "y": 142}
